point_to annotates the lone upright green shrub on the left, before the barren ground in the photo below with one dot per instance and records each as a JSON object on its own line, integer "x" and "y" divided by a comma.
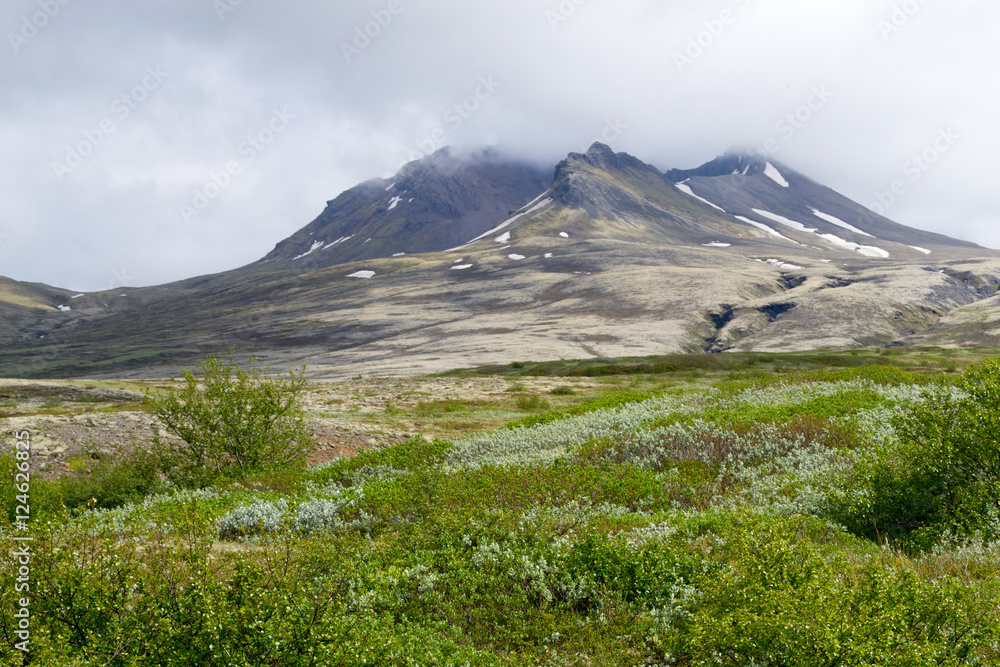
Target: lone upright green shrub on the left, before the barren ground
{"x": 243, "y": 421}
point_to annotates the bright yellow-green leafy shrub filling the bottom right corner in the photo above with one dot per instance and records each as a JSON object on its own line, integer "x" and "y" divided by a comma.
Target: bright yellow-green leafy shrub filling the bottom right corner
{"x": 782, "y": 601}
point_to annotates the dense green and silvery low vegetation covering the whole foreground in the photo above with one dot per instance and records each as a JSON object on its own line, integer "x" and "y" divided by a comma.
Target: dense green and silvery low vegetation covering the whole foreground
{"x": 821, "y": 517}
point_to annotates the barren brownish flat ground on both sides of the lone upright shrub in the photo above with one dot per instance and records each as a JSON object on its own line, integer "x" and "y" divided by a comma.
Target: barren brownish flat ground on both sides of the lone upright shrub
{"x": 72, "y": 421}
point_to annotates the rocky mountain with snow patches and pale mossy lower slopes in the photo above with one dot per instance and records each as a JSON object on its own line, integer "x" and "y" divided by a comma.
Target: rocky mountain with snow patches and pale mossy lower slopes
{"x": 611, "y": 257}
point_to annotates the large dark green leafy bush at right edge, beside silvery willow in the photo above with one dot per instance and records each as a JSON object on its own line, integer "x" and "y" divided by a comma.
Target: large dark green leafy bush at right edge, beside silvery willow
{"x": 940, "y": 475}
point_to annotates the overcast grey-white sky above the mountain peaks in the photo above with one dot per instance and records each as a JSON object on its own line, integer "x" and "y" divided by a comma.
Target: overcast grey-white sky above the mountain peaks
{"x": 148, "y": 141}
